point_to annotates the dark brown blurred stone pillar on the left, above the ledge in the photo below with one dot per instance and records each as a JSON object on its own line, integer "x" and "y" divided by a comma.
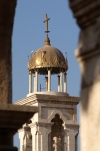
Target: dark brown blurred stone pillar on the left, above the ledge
{"x": 7, "y": 12}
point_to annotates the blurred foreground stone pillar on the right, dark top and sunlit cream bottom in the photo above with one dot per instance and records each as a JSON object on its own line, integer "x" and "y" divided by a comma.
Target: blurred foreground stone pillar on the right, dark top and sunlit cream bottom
{"x": 87, "y": 14}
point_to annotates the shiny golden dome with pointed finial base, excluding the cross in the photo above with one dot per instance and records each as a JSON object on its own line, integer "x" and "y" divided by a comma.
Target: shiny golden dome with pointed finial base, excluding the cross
{"x": 47, "y": 57}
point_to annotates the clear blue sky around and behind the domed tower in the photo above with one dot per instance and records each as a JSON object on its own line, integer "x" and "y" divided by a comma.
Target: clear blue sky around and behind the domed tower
{"x": 28, "y": 35}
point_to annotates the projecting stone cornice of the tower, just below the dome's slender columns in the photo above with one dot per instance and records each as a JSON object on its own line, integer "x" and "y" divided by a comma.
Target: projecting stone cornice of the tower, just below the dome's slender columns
{"x": 41, "y": 98}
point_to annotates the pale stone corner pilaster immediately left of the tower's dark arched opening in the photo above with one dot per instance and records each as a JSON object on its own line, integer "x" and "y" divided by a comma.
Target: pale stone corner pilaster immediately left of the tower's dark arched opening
{"x": 40, "y": 132}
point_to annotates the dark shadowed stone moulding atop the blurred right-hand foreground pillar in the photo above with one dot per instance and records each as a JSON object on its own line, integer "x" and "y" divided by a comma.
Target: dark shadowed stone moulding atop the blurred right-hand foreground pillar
{"x": 85, "y": 11}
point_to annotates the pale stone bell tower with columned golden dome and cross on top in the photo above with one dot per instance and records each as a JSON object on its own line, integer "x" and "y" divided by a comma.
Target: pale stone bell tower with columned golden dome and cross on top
{"x": 54, "y": 127}
